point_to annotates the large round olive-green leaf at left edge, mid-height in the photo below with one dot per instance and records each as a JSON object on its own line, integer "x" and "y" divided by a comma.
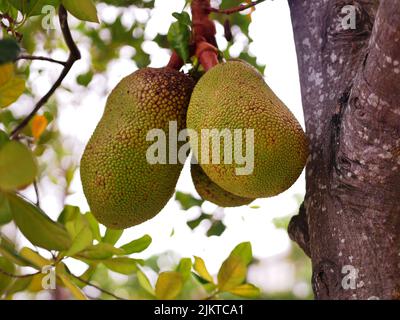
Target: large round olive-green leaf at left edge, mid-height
{"x": 18, "y": 166}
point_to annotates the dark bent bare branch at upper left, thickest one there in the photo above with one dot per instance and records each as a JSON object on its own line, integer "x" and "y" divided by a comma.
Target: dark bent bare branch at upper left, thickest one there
{"x": 73, "y": 57}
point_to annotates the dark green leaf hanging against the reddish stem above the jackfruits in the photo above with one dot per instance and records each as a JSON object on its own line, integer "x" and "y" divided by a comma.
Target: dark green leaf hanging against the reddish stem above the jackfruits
{"x": 179, "y": 38}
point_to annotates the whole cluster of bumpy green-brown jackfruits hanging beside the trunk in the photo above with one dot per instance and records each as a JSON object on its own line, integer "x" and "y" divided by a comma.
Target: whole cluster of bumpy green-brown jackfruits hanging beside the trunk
{"x": 123, "y": 189}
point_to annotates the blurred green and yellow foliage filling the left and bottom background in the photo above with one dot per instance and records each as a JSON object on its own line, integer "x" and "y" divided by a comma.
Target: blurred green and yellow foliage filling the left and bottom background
{"x": 41, "y": 155}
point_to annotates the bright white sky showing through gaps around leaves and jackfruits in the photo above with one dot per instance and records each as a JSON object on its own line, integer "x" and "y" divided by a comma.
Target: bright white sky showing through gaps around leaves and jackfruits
{"x": 81, "y": 110}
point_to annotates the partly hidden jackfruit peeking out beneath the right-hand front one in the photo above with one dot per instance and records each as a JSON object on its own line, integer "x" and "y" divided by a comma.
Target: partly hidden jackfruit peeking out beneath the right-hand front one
{"x": 210, "y": 191}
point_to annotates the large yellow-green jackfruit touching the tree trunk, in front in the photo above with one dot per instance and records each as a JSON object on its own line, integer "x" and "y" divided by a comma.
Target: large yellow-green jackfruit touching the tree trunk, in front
{"x": 234, "y": 95}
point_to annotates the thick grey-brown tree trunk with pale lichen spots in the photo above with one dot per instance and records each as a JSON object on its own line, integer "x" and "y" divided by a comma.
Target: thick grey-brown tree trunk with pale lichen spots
{"x": 350, "y": 81}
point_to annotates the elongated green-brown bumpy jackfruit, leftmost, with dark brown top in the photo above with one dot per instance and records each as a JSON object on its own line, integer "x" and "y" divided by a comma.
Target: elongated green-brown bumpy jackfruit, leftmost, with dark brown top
{"x": 121, "y": 187}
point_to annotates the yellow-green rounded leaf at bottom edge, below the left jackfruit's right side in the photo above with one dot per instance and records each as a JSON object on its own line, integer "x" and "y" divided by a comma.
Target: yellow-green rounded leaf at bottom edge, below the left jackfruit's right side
{"x": 169, "y": 285}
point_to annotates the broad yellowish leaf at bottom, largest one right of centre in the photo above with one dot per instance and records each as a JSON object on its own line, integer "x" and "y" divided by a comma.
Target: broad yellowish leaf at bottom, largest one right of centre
{"x": 232, "y": 273}
